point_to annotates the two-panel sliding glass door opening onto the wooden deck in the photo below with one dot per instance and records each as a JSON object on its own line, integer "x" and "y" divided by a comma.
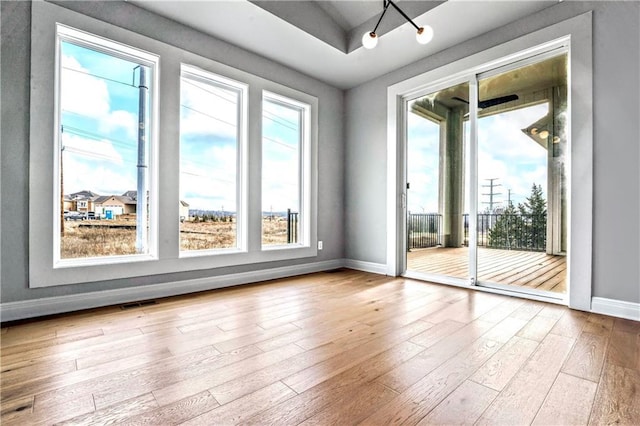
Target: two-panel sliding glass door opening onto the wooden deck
{"x": 486, "y": 164}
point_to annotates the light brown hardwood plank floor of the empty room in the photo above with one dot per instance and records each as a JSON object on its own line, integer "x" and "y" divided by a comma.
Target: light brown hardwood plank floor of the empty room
{"x": 341, "y": 347}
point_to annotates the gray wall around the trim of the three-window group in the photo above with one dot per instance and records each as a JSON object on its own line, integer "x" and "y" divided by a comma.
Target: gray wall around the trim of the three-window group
{"x": 15, "y": 69}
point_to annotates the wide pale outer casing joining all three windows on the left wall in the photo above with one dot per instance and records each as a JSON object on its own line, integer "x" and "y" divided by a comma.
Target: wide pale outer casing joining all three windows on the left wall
{"x": 45, "y": 16}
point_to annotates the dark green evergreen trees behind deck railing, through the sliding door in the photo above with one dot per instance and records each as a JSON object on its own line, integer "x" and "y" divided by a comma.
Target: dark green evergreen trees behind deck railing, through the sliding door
{"x": 524, "y": 227}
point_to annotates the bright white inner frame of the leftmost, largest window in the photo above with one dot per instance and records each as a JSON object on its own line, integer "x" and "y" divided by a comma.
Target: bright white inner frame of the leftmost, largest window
{"x": 65, "y": 33}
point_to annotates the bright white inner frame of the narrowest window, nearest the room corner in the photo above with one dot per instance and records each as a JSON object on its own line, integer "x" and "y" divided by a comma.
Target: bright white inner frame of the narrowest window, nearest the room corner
{"x": 304, "y": 170}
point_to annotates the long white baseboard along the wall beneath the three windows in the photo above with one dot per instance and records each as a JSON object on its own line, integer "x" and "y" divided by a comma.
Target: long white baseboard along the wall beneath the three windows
{"x": 12, "y": 311}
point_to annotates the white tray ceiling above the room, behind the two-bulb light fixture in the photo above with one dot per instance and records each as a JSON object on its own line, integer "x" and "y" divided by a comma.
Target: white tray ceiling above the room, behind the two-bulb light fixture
{"x": 322, "y": 38}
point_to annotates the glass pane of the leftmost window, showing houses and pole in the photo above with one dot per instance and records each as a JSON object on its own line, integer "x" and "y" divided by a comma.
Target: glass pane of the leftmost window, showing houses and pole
{"x": 104, "y": 118}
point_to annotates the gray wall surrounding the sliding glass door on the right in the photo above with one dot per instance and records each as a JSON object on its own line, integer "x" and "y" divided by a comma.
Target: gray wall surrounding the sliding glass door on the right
{"x": 616, "y": 56}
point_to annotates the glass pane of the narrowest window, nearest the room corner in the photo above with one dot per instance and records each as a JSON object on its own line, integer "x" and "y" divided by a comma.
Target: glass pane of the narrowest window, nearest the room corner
{"x": 281, "y": 150}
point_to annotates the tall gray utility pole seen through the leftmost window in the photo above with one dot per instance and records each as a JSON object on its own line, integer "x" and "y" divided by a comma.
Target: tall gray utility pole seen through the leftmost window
{"x": 141, "y": 197}
